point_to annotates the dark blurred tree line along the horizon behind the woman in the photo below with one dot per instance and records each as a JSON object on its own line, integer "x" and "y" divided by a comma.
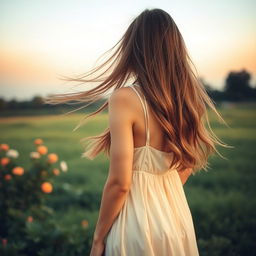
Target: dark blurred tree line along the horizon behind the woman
{"x": 237, "y": 88}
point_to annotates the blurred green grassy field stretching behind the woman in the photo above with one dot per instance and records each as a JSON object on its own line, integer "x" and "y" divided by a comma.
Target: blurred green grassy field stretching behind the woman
{"x": 222, "y": 201}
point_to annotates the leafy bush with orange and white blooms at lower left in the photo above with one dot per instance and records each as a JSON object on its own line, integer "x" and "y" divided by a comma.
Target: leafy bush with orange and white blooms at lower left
{"x": 26, "y": 223}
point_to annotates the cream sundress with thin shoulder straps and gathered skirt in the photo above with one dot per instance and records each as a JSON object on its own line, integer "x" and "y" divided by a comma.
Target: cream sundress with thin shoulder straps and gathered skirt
{"x": 155, "y": 219}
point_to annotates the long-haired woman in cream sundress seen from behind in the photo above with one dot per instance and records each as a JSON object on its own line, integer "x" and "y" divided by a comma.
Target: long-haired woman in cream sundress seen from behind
{"x": 155, "y": 140}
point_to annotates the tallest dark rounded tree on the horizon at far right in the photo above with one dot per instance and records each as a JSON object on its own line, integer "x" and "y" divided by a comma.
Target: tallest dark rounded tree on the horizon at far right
{"x": 237, "y": 86}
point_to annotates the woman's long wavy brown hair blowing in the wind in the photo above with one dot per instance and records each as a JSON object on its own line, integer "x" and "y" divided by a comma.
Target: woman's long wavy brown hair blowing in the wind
{"x": 153, "y": 54}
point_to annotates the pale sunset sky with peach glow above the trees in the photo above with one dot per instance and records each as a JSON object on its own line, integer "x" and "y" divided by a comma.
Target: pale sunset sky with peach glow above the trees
{"x": 43, "y": 39}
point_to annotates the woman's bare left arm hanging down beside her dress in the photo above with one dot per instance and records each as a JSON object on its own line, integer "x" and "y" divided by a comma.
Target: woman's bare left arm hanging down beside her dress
{"x": 121, "y": 157}
